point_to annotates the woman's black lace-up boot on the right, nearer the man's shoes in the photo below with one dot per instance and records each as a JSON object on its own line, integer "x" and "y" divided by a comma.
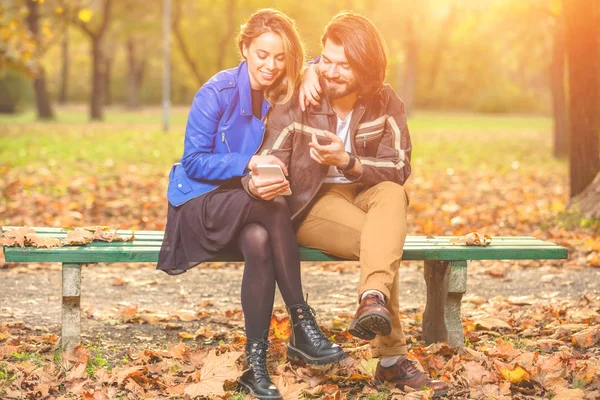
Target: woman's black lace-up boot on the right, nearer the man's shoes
{"x": 307, "y": 342}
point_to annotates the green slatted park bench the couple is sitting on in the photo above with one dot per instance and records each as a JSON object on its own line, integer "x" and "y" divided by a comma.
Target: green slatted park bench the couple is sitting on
{"x": 445, "y": 271}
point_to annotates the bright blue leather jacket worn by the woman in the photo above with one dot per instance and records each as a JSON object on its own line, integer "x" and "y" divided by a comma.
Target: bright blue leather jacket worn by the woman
{"x": 221, "y": 136}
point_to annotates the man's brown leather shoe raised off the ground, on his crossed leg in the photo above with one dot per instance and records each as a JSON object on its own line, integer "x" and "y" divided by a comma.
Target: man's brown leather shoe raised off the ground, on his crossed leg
{"x": 372, "y": 318}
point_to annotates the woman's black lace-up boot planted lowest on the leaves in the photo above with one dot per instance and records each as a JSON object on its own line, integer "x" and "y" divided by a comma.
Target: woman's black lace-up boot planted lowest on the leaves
{"x": 256, "y": 378}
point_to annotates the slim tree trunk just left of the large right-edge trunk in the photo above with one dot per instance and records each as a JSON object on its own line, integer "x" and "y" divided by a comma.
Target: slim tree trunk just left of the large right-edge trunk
{"x": 557, "y": 89}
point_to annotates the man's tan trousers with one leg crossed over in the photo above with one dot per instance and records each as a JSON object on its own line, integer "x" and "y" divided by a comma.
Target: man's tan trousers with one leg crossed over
{"x": 369, "y": 226}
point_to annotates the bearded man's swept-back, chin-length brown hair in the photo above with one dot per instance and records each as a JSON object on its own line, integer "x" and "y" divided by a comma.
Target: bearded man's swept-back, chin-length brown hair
{"x": 364, "y": 47}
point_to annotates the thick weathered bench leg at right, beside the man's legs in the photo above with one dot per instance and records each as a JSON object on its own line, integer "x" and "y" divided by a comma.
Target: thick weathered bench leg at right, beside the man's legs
{"x": 446, "y": 283}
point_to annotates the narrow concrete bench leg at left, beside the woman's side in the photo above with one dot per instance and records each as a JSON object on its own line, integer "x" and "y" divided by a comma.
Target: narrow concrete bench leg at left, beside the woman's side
{"x": 71, "y": 310}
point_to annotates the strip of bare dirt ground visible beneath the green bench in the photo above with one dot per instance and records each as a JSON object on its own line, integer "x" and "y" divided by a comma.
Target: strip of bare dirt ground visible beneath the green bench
{"x": 32, "y": 294}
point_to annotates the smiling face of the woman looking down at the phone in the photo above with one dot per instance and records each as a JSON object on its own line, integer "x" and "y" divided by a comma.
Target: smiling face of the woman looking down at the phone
{"x": 266, "y": 59}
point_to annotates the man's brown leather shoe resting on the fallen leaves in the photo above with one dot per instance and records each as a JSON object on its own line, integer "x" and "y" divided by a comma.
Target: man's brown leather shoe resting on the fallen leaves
{"x": 405, "y": 373}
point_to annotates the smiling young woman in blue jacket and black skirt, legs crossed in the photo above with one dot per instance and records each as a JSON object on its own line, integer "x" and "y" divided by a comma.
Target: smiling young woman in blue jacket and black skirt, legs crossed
{"x": 209, "y": 211}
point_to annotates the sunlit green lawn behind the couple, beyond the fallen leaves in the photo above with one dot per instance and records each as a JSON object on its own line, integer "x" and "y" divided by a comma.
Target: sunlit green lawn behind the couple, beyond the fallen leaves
{"x": 134, "y": 143}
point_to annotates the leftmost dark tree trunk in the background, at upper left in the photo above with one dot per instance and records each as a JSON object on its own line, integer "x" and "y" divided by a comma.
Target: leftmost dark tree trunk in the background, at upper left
{"x": 42, "y": 100}
